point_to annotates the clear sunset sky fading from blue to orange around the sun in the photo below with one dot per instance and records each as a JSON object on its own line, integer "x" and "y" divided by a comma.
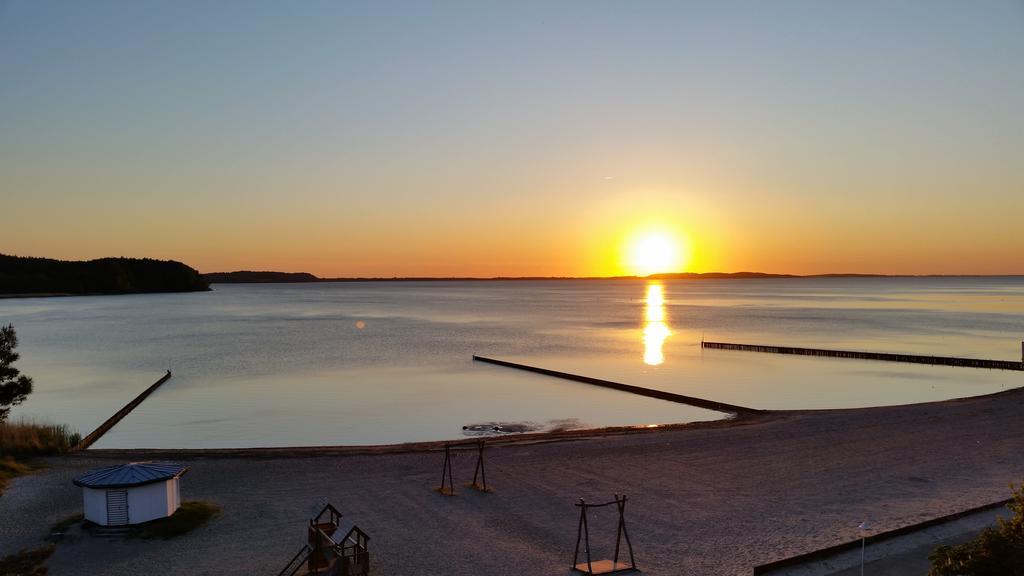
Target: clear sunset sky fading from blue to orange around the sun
{"x": 516, "y": 139}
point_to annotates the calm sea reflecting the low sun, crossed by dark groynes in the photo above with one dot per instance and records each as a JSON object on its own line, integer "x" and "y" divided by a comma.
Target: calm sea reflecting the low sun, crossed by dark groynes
{"x": 373, "y": 363}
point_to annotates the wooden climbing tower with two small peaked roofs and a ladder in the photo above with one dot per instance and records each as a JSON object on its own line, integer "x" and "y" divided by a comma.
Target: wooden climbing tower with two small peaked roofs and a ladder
{"x": 323, "y": 556}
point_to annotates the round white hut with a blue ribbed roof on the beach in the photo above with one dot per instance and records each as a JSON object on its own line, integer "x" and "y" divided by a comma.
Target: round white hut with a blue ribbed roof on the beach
{"x": 132, "y": 493}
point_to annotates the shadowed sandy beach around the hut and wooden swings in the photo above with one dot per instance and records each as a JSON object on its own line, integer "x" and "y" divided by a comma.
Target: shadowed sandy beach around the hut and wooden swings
{"x": 713, "y": 501}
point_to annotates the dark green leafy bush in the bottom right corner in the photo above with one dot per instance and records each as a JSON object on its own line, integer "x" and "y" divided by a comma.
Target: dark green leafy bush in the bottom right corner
{"x": 997, "y": 552}
